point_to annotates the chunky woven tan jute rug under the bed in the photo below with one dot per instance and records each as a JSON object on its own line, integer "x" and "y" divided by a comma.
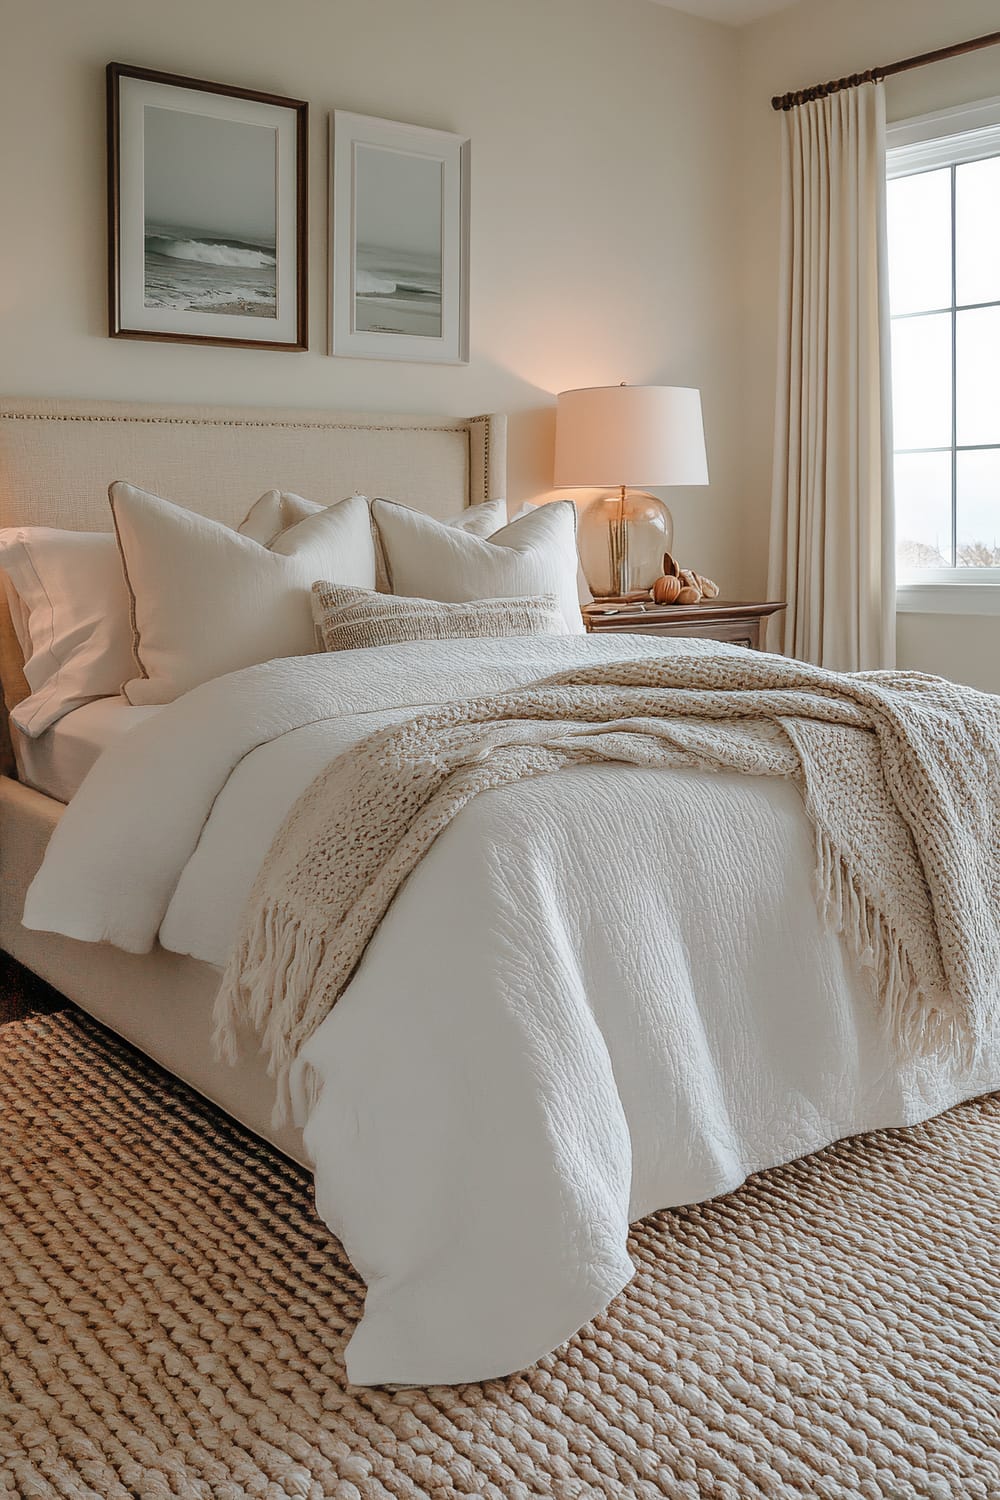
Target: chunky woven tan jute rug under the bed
{"x": 173, "y": 1321}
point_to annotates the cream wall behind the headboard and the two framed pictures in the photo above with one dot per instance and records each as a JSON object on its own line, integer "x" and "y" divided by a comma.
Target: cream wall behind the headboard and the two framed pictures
{"x": 603, "y": 178}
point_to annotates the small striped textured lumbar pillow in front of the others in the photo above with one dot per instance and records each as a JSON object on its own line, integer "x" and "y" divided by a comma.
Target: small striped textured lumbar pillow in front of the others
{"x": 358, "y": 619}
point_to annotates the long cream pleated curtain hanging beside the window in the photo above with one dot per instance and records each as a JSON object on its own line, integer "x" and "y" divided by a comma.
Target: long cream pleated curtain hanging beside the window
{"x": 831, "y": 511}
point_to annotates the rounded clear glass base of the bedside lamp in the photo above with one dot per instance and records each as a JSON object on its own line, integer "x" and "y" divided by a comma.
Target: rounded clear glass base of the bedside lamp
{"x": 623, "y": 538}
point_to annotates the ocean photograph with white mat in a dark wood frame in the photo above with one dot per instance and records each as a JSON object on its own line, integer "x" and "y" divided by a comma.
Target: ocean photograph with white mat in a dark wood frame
{"x": 208, "y": 221}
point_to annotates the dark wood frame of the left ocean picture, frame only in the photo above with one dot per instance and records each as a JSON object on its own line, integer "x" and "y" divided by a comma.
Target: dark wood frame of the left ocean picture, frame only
{"x": 118, "y": 325}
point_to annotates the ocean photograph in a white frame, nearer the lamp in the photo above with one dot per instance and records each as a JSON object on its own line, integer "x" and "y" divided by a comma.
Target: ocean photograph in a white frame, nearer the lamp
{"x": 400, "y": 275}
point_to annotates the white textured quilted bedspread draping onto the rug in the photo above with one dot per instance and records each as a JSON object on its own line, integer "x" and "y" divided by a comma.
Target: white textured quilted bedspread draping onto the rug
{"x": 603, "y": 992}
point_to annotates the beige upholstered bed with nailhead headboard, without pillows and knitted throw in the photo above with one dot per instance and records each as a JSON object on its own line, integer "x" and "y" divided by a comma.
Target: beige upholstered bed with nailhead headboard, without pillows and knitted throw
{"x": 572, "y": 1013}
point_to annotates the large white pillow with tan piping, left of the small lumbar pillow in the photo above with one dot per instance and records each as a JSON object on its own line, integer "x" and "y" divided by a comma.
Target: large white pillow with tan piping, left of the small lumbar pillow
{"x": 208, "y": 601}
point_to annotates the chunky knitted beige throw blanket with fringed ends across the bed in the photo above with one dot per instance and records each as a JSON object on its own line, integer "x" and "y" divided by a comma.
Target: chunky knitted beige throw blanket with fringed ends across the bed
{"x": 900, "y": 776}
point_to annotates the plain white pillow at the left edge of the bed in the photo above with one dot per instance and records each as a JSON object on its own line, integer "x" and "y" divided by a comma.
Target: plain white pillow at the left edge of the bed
{"x": 73, "y": 620}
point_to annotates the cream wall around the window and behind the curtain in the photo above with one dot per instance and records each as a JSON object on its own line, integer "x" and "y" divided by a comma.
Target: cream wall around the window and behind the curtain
{"x": 807, "y": 44}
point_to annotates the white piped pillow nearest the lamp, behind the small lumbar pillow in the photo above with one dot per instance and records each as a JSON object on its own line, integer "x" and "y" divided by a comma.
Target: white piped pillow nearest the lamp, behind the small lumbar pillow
{"x": 533, "y": 556}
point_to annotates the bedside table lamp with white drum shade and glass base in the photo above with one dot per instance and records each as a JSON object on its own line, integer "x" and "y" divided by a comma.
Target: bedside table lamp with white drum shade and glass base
{"x": 617, "y": 437}
